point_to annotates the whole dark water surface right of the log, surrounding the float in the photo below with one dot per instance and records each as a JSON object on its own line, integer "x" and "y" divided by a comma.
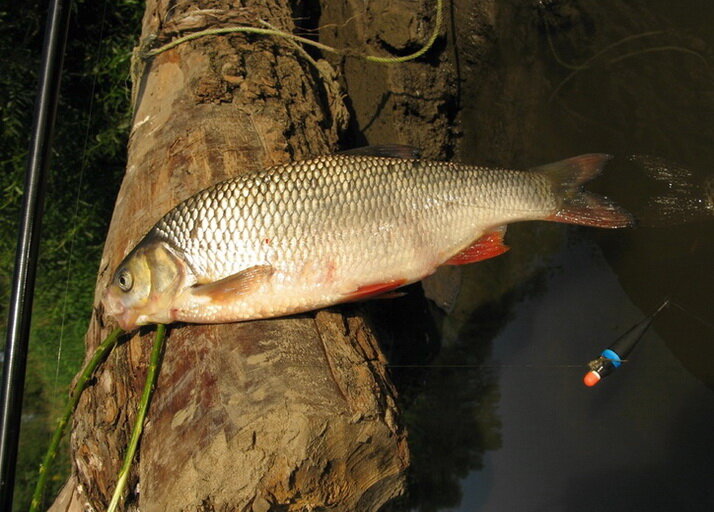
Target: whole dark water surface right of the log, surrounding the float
{"x": 523, "y": 433}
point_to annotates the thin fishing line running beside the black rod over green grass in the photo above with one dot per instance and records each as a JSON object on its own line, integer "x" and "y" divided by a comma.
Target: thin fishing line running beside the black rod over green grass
{"x": 82, "y": 168}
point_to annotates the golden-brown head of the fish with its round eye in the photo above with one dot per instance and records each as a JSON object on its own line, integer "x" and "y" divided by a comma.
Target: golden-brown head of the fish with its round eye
{"x": 144, "y": 285}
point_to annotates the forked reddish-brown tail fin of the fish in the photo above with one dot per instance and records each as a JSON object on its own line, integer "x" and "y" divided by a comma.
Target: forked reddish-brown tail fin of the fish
{"x": 576, "y": 205}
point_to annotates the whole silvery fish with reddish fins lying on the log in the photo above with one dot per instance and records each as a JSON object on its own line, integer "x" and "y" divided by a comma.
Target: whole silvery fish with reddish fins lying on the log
{"x": 337, "y": 228}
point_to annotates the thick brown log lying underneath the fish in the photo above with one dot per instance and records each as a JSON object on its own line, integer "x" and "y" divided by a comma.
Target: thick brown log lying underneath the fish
{"x": 286, "y": 414}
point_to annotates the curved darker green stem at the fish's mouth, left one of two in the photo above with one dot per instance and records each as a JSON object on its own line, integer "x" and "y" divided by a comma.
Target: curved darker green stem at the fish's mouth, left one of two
{"x": 100, "y": 355}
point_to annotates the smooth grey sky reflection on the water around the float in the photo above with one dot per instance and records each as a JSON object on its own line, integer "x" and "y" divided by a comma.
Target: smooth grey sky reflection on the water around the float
{"x": 644, "y": 434}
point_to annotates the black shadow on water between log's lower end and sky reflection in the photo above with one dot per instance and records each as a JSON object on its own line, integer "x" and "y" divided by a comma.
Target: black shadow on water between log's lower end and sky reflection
{"x": 448, "y": 393}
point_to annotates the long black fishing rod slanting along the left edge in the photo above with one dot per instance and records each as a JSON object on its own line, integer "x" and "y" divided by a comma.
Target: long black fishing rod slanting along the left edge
{"x": 23, "y": 285}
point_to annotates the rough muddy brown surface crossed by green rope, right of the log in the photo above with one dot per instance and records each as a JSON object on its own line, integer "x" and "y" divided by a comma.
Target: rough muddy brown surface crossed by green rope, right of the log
{"x": 413, "y": 103}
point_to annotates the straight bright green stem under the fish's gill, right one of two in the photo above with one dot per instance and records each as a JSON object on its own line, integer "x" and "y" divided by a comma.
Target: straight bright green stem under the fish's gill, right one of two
{"x": 151, "y": 377}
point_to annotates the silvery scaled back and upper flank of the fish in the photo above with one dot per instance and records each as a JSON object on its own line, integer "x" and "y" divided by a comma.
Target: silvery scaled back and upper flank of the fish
{"x": 342, "y": 194}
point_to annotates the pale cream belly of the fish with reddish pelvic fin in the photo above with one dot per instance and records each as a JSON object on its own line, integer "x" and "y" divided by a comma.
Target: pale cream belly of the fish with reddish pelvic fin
{"x": 353, "y": 265}
